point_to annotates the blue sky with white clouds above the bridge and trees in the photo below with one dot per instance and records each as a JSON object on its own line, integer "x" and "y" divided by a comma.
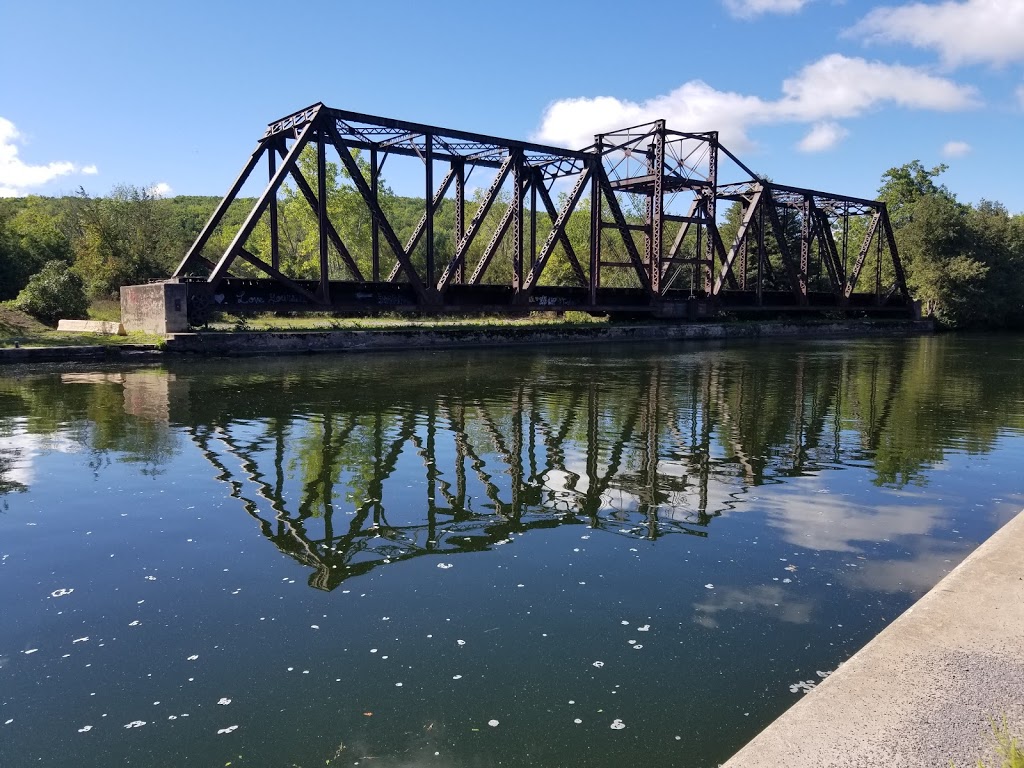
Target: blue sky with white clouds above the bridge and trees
{"x": 827, "y": 95}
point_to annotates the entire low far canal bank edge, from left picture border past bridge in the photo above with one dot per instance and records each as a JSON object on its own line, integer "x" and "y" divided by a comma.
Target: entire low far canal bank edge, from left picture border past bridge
{"x": 309, "y": 343}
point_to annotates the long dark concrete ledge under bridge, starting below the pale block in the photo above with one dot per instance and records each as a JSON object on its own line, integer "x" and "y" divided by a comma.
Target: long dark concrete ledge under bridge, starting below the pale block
{"x": 267, "y": 343}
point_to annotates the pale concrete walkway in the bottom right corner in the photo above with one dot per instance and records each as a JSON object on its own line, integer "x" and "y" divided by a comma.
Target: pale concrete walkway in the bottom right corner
{"x": 923, "y": 693}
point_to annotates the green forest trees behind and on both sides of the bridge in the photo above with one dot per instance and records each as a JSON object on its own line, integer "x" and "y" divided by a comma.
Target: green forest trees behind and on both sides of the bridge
{"x": 964, "y": 263}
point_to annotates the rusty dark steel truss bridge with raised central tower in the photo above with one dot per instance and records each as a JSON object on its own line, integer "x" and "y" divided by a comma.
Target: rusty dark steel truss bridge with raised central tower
{"x": 646, "y": 202}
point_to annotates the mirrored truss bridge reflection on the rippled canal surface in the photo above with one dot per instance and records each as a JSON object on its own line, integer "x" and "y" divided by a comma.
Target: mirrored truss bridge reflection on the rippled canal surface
{"x": 373, "y": 467}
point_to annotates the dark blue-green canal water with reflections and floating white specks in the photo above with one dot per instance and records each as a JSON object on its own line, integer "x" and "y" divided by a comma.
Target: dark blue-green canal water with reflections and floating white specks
{"x": 587, "y": 557}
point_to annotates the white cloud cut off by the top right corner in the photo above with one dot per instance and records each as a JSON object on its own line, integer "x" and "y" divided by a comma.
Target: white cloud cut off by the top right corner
{"x": 965, "y": 32}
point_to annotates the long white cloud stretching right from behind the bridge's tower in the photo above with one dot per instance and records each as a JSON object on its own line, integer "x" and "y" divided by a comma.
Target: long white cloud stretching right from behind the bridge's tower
{"x": 833, "y": 89}
